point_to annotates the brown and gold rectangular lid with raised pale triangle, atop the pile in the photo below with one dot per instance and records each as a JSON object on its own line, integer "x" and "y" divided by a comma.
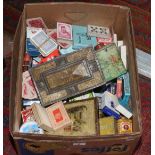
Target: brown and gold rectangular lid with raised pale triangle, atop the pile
{"x": 67, "y": 76}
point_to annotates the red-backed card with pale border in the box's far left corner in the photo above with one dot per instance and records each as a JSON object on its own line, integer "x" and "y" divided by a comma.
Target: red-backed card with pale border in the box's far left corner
{"x": 36, "y": 22}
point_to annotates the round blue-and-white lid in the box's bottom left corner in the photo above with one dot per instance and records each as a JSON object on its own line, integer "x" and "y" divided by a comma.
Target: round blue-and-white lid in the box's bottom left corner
{"x": 31, "y": 127}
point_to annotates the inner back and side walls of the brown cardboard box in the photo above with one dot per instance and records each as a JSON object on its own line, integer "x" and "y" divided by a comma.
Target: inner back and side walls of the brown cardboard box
{"x": 80, "y": 14}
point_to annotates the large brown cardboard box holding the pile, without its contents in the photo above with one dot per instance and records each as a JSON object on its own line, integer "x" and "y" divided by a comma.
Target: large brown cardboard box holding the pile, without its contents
{"x": 81, "y": 14}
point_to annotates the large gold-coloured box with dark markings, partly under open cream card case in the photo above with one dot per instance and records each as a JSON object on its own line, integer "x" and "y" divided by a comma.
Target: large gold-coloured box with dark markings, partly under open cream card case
{"x": 83, "y": 114}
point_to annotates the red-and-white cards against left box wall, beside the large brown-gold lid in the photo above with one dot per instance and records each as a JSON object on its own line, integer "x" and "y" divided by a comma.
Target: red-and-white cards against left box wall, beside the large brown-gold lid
{"x": 28, "y": 90}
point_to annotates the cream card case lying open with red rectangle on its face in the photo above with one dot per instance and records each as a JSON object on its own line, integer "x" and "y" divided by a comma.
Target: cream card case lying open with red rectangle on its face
{"x": 52, "y": 118}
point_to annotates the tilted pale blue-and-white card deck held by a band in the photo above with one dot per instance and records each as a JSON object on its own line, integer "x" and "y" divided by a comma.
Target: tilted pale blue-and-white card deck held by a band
{"x": 45, "y": 44}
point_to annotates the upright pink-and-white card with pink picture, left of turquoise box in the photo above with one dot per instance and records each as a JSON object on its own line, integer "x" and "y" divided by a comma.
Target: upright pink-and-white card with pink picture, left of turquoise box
{"x": 64, "y": 31}
